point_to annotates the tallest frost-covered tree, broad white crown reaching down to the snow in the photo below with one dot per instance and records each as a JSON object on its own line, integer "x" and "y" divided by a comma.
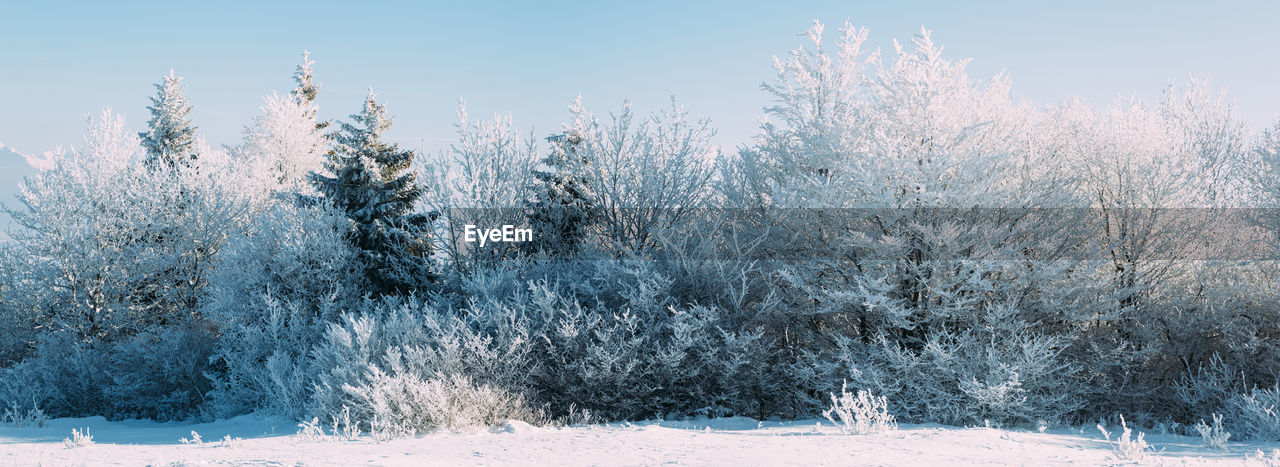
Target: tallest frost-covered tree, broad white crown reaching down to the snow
{"x": 900, "y": 195}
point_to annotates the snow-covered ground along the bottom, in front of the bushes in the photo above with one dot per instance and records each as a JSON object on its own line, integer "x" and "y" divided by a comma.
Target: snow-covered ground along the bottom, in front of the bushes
{"x": 707, "y": 442}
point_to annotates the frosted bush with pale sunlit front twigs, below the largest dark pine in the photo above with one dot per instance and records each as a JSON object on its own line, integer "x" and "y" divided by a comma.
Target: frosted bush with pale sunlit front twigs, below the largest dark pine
{"x": 406, "y": 368}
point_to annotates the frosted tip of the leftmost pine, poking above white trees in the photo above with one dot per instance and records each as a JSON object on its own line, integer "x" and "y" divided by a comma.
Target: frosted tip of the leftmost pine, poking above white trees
{"x": 170, "y": 138}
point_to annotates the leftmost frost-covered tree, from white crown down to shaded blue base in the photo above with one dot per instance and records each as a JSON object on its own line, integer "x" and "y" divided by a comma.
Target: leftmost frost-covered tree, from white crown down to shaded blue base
{"x": 113, "y": 272}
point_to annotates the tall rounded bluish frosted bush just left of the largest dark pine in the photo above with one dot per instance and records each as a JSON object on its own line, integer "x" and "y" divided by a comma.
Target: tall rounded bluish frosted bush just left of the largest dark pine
{"x": 275, "y": 290}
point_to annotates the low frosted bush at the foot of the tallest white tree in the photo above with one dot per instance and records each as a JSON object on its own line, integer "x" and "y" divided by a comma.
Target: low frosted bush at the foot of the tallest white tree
{"x": 1009, "y": 377}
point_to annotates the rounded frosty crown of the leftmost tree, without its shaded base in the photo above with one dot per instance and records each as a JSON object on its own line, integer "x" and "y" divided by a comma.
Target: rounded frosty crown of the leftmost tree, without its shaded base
{"x": 113, "y": 254}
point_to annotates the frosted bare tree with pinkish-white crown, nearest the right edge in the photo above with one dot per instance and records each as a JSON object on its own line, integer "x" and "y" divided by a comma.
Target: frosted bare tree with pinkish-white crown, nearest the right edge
{"x": 1162, "y": 180}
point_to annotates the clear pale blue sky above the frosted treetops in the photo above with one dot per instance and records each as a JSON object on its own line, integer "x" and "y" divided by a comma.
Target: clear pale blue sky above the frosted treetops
{"x": 62, "y": 61}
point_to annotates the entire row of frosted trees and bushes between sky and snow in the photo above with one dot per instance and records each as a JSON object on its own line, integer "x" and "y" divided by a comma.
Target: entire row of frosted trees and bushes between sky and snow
{"x": 317, "y": 271}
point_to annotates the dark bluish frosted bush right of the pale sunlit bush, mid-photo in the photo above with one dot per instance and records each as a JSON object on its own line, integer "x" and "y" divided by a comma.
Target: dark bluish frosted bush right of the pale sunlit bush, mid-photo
{"x": 636, "y": 352}
